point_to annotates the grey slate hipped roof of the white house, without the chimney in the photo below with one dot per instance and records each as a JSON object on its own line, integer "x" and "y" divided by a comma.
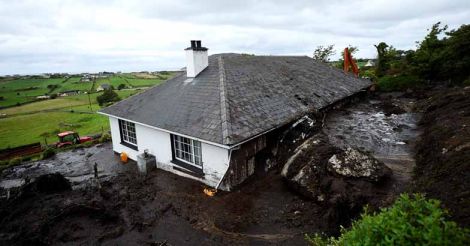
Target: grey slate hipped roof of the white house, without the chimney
{"x": 239, "y": 96}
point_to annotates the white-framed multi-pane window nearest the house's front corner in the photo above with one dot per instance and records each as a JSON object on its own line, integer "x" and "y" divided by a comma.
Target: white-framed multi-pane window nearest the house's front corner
{"x": 187, "y": 150}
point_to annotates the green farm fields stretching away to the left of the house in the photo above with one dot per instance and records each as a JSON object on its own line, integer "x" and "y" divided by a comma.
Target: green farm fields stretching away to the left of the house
{"x": 24, "y": 119}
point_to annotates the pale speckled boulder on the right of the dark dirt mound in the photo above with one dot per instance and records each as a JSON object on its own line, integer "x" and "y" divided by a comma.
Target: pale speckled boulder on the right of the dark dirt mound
{"x": 357, "y": 164}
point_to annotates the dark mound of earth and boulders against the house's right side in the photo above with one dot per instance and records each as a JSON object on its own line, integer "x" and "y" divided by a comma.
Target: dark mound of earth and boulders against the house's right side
{"x": 343, "y": 181}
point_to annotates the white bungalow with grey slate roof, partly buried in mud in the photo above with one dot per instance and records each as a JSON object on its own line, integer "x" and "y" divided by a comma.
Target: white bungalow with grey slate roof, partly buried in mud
{"x": 211, "y": 122}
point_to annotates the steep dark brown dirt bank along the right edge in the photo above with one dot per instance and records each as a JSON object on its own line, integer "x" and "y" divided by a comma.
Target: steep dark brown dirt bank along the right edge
{"x": 443, "y": 153}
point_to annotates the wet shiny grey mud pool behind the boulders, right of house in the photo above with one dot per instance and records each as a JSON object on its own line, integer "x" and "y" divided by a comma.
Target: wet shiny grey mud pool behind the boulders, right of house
{"x": 387, "y": 130}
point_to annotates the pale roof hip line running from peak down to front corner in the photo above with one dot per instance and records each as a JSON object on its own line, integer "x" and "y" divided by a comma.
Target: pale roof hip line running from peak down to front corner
{"x": 224, "y": 110}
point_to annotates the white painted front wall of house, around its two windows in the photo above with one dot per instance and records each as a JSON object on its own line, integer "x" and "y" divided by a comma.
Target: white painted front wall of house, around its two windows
{"x": 215, "y": 159}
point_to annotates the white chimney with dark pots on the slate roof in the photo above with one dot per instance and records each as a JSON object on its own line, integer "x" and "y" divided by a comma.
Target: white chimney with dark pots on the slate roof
{"x": 196, "y": 59}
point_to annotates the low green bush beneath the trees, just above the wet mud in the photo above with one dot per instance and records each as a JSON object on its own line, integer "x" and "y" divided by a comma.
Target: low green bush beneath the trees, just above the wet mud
{"x": 398, "y": 83}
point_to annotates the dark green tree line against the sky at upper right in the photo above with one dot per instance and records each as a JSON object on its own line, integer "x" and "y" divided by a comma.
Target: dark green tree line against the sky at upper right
{"x": 443, "y": 56}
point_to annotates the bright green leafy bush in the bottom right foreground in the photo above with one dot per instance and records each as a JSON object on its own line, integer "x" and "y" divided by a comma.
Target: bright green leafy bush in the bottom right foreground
{"x": 411, "y": 220}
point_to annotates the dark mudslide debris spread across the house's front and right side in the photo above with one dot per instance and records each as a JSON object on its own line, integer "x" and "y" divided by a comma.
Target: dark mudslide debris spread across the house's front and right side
{"x": 164, "y": 209}
